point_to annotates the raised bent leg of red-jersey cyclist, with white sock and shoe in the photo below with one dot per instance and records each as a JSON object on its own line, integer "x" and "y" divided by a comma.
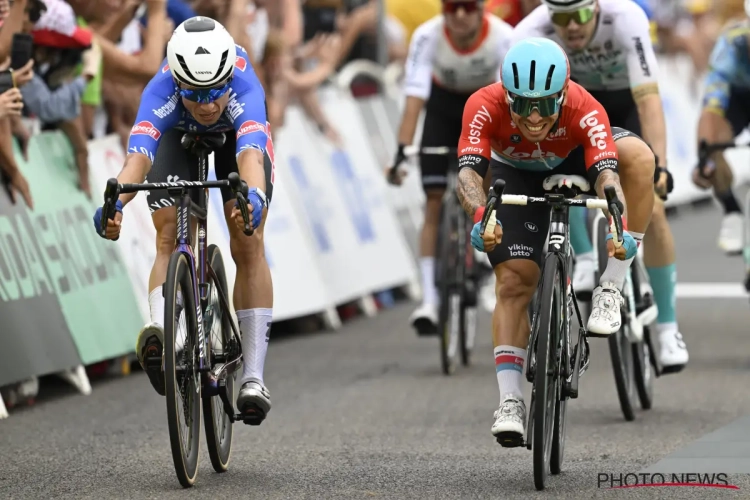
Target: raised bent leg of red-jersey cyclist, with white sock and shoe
{"x": 636, "y": 173}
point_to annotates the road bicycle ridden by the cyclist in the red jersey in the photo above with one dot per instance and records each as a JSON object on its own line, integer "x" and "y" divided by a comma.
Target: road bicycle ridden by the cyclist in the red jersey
{"x": 554, "y": 366}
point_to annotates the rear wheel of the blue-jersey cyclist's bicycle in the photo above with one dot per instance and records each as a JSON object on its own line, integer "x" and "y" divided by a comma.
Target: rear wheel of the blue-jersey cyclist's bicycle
{"x": 218, "y": 330}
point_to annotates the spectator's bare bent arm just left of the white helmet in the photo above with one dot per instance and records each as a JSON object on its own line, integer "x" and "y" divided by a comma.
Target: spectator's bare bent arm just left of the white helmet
{"x": 142, "y": 67}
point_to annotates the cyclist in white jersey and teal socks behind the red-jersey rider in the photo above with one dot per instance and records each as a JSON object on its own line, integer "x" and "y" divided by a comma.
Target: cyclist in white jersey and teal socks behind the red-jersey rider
{"x": 608, "y": 43}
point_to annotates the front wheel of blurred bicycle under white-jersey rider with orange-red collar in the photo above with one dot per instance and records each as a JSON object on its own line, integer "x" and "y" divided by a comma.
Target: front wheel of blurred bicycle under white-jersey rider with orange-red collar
{"x": 449, "y": 288}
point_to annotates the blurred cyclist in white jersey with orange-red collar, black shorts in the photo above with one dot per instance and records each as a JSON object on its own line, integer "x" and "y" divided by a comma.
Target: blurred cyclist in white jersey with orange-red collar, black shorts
{"x": 450, "y": 57}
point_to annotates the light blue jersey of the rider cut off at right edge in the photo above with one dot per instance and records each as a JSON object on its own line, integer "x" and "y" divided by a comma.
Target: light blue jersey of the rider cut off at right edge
{"x": 729, "y": 66}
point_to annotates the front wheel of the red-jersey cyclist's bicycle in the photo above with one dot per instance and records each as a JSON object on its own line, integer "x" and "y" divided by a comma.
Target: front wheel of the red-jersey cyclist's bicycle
{"x": 546, "y": 376}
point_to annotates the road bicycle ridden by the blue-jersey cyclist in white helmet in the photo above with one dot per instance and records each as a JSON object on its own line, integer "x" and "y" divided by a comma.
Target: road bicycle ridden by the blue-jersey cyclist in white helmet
{"x": 202, "y": 344}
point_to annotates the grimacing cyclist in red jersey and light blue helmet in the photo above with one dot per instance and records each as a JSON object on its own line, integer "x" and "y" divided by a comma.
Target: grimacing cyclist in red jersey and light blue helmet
{"x": 533, "y": 124}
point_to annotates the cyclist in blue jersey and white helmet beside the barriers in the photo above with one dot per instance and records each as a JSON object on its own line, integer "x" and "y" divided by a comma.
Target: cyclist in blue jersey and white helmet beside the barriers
{"x": 206, "y": 85}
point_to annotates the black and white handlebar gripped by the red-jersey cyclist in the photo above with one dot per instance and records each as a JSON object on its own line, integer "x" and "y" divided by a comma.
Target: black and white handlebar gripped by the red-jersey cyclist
{"x": 612, "y": 203}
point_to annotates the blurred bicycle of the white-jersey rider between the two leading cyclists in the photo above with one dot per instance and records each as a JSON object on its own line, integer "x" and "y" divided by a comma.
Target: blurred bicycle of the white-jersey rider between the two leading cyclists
{"x": 456, "y": 274}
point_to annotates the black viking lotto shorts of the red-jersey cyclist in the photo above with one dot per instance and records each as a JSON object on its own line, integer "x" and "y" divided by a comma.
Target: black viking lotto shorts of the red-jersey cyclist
{"x": 525, "y": 227}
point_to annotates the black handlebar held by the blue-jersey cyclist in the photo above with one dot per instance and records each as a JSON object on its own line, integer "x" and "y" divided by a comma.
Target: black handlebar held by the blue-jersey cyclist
{"x": 114, "y": 190}
